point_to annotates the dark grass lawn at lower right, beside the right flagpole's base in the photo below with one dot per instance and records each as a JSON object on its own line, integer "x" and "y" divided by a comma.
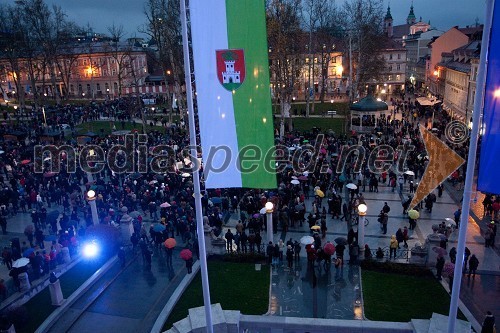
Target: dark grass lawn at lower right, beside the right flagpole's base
{"x": 400, "y": 298}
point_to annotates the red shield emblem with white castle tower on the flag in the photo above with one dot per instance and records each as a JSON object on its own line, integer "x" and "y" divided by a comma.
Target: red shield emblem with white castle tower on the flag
{"x": 230, "y": 68}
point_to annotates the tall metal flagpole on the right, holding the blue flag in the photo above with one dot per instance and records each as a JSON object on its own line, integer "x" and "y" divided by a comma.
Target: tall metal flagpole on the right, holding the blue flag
{"x": 471, "y": 162}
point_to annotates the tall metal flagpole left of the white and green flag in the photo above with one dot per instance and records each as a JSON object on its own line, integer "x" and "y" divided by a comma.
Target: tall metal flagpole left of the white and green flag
{"x": 196, "y": 176}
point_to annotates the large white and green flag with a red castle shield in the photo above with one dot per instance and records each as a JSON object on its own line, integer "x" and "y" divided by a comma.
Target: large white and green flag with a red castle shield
{"x": 231, "y": 71}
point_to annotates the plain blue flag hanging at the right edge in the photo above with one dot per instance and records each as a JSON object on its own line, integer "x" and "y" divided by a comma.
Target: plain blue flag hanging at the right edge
{"x": 489, "y": 177}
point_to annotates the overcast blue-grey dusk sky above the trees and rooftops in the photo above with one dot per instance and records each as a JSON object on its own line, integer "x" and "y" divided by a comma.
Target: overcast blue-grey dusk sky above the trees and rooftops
{"x": 101, "y": 14}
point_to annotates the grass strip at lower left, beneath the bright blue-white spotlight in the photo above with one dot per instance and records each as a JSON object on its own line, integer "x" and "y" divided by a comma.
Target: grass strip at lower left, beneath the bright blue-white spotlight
{"x": 37, "y": 309}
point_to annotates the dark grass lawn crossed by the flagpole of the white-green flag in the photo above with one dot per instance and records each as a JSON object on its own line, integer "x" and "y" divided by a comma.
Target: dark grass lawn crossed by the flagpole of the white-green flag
{"x": 235, "y": 286}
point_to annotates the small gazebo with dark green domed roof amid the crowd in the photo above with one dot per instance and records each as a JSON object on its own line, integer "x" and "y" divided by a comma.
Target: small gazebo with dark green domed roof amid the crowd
{"x": 366, "y": 112}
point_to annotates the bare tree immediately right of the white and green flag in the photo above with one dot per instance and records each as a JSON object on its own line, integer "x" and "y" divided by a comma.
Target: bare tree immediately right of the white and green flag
{"x": 285, "y": 48}
